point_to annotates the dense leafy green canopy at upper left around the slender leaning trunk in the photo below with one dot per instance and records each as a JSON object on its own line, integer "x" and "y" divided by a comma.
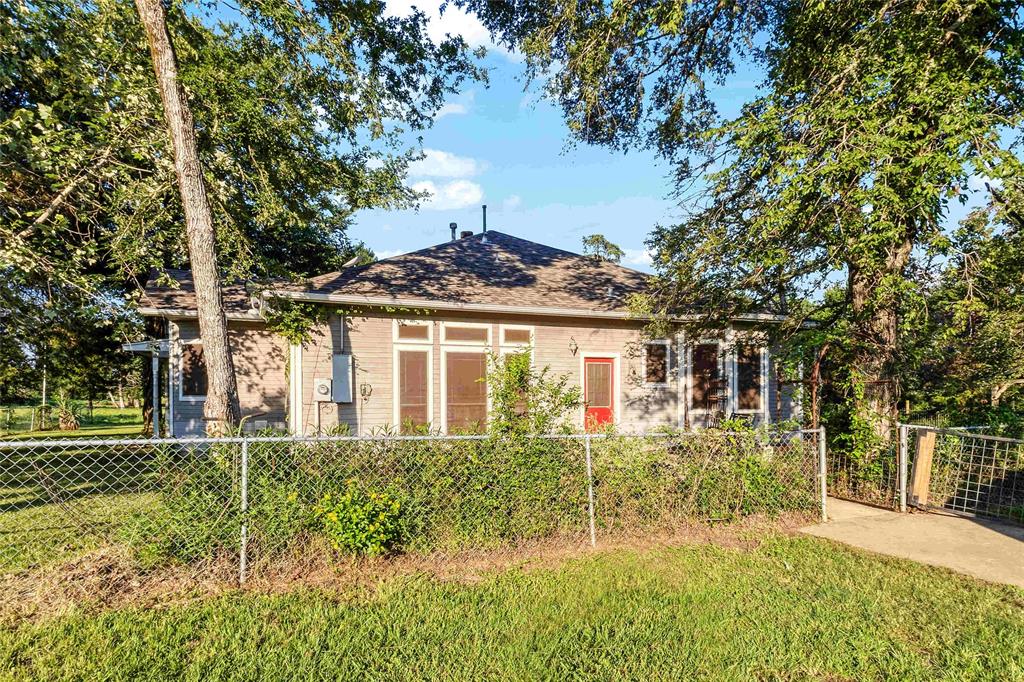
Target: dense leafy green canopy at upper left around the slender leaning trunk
{"x": 303, "y": 115}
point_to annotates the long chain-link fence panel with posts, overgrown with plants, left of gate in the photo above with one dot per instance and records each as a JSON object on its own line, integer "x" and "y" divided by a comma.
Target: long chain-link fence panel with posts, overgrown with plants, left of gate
{"x": 257, "y": 500}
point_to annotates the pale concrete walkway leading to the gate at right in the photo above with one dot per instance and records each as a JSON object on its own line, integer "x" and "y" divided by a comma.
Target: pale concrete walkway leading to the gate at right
{"x": 989, "y": 550}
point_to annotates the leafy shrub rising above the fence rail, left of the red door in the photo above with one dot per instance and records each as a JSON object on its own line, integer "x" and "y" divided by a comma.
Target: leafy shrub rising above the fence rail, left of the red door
{"x": 525, "y": 400}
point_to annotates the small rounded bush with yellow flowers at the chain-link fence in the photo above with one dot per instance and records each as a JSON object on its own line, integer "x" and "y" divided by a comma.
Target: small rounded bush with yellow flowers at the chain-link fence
{"x": 362, "y": 522}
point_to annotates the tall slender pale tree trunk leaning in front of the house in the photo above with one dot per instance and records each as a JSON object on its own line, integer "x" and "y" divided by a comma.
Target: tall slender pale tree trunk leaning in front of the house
{"x": 222, "y": 407}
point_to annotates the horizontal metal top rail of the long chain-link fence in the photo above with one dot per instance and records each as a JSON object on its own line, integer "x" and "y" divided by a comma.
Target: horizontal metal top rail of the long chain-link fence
{"x": 93, "y": 443}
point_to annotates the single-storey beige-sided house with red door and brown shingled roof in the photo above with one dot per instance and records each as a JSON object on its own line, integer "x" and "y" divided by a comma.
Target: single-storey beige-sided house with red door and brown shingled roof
{"x": 407, "y": 342}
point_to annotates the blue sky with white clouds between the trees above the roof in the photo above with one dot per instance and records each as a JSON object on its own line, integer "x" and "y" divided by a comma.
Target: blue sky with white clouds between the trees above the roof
{"x": 508, "y": 149}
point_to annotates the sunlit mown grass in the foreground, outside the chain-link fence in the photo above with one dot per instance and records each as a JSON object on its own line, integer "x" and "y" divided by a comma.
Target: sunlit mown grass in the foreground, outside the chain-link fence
{"x": 792, "y": 609}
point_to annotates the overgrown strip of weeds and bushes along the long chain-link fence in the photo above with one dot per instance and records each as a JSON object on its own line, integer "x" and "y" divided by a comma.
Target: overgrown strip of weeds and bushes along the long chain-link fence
{"x": 381, "y": 496}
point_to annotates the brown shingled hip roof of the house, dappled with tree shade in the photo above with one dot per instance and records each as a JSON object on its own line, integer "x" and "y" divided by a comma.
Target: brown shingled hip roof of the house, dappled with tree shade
{"x": 486, "y": 270}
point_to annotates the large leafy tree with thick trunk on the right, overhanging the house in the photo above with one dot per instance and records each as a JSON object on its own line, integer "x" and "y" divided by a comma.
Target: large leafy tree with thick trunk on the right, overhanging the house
{"x": 874, "y": 118}
